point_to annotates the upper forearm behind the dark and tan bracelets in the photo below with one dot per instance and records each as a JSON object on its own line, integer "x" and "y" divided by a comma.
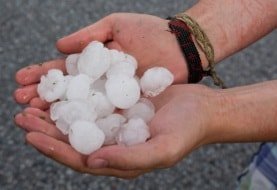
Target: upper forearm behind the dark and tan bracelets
{"x": 232, "y": 25}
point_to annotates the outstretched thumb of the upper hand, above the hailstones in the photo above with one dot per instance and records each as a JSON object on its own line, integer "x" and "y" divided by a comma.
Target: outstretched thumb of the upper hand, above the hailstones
{"x": 74, "y": 43}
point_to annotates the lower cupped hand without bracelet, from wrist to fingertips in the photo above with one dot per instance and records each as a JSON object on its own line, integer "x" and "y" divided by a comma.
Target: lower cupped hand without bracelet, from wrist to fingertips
{"x": 181, "y": 124}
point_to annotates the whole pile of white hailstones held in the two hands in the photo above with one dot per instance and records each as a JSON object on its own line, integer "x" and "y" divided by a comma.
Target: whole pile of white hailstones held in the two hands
{"x": 101, "y": 101}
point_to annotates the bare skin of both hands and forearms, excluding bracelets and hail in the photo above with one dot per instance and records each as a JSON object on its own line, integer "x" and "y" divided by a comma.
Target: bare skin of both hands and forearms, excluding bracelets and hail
{"x": 188, "y": 116}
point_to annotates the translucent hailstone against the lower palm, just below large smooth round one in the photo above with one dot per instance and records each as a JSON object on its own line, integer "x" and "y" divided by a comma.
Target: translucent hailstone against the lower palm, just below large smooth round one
{"x": 144, "y": 109}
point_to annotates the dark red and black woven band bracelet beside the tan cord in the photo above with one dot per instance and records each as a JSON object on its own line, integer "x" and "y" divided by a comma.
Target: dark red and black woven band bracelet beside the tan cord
{"x": 183, "y": 35}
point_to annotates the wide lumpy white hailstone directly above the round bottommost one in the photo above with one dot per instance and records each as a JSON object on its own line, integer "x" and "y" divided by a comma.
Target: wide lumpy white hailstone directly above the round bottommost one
{"x": 65, "y": 113}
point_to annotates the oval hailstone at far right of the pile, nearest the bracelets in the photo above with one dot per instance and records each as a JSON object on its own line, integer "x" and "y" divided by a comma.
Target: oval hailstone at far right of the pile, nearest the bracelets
{"x": 155, "y": 80}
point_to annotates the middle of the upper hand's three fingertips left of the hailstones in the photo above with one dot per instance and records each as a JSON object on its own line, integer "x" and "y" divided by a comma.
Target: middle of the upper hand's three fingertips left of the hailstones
{"x": 25, "y": 94}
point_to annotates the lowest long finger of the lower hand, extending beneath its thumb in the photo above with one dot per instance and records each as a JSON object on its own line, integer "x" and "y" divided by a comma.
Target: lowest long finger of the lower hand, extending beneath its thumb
{"x": 65, "y": 154}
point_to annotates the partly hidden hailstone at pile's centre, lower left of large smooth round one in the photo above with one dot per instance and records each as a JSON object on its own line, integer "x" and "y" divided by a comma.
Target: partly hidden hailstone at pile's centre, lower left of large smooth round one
{"x": 100, "y": 103}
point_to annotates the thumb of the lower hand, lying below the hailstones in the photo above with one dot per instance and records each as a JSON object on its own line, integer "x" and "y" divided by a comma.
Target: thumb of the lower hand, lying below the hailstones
{"x": 138, "y": 157}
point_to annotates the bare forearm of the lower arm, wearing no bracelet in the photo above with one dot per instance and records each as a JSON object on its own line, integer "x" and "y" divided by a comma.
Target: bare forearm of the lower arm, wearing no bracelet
{"x": 246, "y": 114}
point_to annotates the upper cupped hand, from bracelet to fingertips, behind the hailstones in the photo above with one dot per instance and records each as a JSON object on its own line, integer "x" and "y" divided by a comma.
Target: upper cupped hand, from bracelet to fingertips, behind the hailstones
{"x": 145, "y": 37}
